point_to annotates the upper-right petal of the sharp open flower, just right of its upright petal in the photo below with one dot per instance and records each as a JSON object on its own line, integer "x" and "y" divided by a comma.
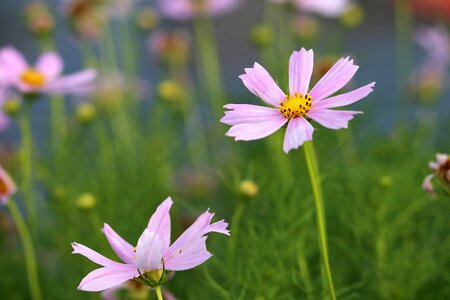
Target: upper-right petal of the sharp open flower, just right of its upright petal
{"x": 335, "y": 79}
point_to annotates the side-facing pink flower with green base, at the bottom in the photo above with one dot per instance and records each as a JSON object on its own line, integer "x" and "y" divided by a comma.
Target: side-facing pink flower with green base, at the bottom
{"x": 153, "y": 254}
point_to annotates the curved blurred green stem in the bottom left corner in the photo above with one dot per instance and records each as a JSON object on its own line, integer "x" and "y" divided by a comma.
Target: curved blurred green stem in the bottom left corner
{"x": 30, "y": 260}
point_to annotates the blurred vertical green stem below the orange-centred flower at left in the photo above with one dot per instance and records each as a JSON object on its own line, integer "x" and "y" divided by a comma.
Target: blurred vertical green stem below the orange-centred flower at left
{"x": 25, "y": 161}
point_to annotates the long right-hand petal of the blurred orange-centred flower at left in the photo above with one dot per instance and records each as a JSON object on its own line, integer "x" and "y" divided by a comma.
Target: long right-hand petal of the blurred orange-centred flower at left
{"x": 71, "y": 83}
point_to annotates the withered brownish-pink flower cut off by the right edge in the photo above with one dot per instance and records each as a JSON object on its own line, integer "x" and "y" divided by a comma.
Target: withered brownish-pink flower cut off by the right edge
{"x": 441, "y": 171}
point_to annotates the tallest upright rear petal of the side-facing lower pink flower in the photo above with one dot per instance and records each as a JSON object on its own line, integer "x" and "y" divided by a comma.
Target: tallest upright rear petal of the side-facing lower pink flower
{"x": 160, "y": 223}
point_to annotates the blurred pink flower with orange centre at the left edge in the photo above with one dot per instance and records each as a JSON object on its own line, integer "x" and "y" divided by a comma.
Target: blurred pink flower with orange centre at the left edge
{"x": 45, "y": 76}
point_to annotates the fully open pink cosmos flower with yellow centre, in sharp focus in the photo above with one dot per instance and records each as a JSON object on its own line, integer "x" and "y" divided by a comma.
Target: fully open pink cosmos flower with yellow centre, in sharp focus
{"x": 252, "y": 122}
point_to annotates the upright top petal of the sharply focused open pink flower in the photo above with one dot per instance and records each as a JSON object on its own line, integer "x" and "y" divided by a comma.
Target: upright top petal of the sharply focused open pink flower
{"x": 300, "y": 71}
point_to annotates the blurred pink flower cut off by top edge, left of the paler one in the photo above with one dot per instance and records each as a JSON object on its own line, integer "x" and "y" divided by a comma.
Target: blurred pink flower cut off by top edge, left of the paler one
{"x": 186, "y": 9}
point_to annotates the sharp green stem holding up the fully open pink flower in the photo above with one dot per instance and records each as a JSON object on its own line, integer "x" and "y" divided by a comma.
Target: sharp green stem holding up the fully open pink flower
{"x": 313, "y": 170}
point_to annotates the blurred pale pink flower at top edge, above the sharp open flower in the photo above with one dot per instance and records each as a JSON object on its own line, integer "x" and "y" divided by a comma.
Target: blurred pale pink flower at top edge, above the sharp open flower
{"x": 326, "y": 8}
